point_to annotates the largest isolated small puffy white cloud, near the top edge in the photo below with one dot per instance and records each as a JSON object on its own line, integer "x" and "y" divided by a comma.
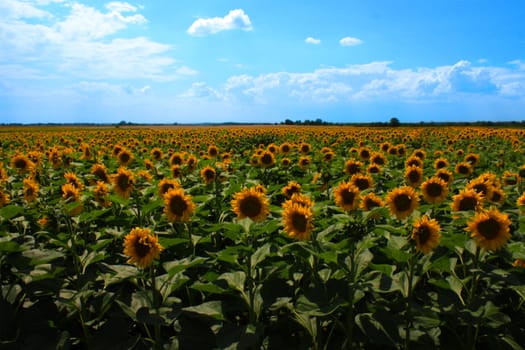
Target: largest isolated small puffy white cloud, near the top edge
{"x": 235, "y": 19}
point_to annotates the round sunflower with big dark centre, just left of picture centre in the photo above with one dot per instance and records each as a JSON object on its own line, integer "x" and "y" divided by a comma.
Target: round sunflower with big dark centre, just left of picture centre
{"x": 250, "y": 203}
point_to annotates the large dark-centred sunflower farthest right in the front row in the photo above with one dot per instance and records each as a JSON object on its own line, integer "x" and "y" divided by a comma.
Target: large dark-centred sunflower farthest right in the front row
{"x": 490, "y": 229}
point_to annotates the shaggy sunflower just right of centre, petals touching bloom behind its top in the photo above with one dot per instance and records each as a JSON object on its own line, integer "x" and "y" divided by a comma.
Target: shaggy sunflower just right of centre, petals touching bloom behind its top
{"x": 298, "y": 221}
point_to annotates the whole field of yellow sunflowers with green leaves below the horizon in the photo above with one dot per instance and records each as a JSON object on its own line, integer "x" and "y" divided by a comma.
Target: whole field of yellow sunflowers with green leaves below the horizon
{"x": 274, "y": 237}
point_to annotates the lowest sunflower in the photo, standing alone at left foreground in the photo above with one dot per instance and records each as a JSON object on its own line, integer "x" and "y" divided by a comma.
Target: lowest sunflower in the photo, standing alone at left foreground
{"x": 142, "y": 247}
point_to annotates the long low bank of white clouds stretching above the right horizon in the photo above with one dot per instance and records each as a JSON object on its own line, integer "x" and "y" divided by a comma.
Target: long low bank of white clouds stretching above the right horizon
{"x": 375, "y": 81}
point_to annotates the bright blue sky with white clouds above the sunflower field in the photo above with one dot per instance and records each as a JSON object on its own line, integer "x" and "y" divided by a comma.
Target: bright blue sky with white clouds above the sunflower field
{"x": 187, "y": 61}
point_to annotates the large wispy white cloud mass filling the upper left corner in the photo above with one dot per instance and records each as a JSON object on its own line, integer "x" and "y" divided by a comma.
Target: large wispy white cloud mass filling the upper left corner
{"x": 81, "y": 44}
